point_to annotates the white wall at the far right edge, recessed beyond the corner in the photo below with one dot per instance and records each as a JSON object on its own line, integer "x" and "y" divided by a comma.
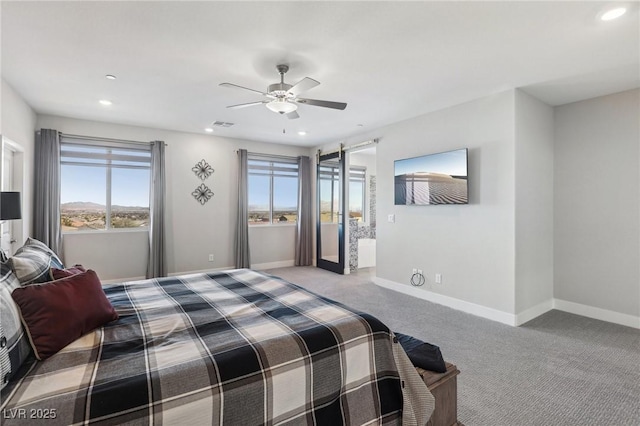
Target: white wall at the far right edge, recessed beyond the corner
{"x": 597, "y": 199}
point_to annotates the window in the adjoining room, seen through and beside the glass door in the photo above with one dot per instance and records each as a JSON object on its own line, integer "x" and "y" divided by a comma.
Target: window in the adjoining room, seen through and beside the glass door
{"x": 330, "y": 192}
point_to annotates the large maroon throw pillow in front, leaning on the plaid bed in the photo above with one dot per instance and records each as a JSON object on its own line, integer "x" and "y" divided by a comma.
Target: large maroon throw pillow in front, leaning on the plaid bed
{"x": 58, "y": 312}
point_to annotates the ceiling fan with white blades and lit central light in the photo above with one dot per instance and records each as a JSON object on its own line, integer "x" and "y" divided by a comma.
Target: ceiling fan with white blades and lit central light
{"x": 283, "y": 98}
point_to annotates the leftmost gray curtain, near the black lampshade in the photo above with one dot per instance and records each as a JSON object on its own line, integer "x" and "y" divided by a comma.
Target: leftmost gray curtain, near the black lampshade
{"x": 46, "y": 201}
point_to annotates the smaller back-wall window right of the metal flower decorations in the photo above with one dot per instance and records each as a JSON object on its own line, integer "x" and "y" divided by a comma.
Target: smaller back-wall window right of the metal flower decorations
{"x": 273, "y": 190}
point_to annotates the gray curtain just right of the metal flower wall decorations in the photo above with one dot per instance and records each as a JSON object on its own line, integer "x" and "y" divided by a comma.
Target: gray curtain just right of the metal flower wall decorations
{"x": 243, "y": 258}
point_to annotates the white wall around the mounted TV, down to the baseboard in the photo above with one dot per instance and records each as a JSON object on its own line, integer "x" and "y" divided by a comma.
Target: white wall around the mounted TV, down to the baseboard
{"x": 472, "y": 245}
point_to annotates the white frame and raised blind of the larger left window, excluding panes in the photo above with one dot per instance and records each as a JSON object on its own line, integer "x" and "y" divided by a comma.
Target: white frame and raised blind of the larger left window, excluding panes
{"x": 109, "y": 157}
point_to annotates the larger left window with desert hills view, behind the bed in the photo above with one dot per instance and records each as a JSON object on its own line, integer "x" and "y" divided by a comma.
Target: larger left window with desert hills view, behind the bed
{"x": 104, "y": 185}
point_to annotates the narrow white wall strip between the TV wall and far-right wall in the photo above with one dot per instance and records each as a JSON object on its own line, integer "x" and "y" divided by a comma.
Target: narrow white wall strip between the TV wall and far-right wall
{"x": 534, "y": 206}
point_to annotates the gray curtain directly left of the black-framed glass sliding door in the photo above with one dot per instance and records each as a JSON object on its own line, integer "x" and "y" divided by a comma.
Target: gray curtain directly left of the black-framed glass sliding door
{"x": 304, "y": 228}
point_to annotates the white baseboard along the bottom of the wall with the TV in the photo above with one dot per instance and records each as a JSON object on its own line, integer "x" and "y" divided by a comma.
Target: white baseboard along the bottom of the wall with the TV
{"x": 451, "y": 302}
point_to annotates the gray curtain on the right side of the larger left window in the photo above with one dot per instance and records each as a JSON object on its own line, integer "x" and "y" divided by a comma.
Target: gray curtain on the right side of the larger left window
{"x": 156, "y": 264}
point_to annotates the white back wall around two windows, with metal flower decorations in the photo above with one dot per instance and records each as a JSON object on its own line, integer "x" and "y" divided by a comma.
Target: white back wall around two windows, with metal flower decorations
{"x": 193, "y": 231}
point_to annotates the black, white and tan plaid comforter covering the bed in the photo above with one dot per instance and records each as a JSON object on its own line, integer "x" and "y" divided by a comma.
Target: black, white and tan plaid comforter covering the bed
{"x": 234, "y": 348}
